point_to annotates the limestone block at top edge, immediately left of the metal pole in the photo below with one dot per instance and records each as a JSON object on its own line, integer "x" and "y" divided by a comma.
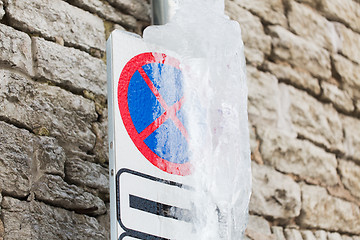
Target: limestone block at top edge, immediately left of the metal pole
{"x": 137, "y": 8}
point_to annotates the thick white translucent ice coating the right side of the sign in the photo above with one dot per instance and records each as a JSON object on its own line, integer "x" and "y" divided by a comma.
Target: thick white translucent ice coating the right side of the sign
{"x": 210, "y": 50}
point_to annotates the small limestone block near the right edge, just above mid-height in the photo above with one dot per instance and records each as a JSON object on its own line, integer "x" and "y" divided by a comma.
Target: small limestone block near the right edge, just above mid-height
{"x": 340, "y": 99}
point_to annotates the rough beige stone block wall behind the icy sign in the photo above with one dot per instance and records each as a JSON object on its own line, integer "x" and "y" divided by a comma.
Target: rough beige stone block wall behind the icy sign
{"x": 304, "y": 108}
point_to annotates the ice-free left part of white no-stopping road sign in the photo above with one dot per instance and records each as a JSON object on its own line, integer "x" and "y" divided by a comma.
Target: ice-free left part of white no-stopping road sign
{"x": 149, "y": 164}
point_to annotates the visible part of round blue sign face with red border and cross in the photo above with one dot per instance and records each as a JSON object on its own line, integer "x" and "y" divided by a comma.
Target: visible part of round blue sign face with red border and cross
{"x": 150, "y": 98}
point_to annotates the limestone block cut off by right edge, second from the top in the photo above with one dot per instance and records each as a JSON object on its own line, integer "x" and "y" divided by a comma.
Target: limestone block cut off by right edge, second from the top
{"x": 350, "y": 42}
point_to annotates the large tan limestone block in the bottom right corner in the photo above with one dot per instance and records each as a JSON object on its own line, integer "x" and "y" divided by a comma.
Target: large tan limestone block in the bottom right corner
{"x": 320, "y": 210}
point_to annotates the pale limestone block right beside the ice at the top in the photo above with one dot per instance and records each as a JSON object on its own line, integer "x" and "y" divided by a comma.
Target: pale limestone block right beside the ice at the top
{"x": 257, "y": 43}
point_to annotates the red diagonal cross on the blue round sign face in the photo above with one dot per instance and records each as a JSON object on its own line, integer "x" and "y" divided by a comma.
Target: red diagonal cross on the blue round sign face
{"x": 170, "y": 112}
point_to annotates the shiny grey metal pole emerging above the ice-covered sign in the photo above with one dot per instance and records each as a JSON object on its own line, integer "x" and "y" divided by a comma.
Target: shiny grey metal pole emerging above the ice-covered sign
{"x": 162, "y": 11}
